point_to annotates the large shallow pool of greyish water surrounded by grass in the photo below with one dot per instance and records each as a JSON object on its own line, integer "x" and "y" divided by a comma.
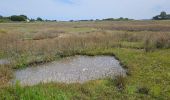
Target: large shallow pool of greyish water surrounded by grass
{"x": 70, "y": 70}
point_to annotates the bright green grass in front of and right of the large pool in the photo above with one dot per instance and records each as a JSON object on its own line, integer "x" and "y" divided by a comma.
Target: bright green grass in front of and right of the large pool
{"x": 148, "y": 79}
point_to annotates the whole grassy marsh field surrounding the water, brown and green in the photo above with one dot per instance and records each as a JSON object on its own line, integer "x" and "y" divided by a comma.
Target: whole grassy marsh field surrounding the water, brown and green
{"x": 143, "y": 48}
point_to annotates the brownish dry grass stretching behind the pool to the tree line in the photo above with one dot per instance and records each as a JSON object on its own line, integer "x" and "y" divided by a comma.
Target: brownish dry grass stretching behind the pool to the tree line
{"x": 54, "y": 39}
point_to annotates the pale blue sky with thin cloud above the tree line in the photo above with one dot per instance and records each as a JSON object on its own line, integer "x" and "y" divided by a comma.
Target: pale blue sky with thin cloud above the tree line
{"x": 84, "y": 9}
